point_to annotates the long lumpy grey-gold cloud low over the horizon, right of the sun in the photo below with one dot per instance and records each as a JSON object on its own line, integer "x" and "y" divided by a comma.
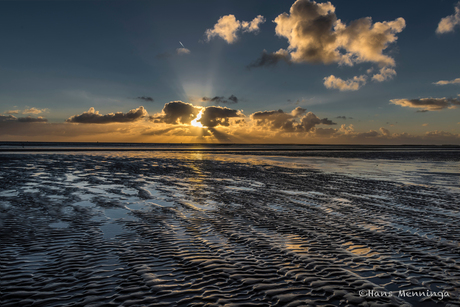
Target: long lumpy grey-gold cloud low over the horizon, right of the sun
{"x": 295, "y": 121}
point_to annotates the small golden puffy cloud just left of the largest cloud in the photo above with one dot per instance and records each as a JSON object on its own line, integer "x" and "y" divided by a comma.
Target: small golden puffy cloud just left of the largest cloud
{"x": 227, "y": 27}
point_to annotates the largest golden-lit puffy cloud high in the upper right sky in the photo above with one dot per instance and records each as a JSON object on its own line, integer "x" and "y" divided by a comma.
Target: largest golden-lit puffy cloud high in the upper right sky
{"x": 315, "y": 35}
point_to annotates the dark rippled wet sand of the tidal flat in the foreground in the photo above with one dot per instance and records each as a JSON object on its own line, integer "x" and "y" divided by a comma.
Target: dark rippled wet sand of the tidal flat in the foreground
{"x": 192, "y": 230}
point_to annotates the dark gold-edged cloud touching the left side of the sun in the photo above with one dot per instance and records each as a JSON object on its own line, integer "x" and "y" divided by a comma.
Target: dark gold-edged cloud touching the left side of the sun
{"x": 176, "y": 112}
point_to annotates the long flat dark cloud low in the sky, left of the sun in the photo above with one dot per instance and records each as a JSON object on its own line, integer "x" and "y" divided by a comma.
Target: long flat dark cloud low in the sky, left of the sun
{"x": 93, "y": 117}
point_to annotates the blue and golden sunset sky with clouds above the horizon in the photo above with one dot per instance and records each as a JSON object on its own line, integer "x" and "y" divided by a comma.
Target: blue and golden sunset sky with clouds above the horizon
{"x": 259, "y": 71}
